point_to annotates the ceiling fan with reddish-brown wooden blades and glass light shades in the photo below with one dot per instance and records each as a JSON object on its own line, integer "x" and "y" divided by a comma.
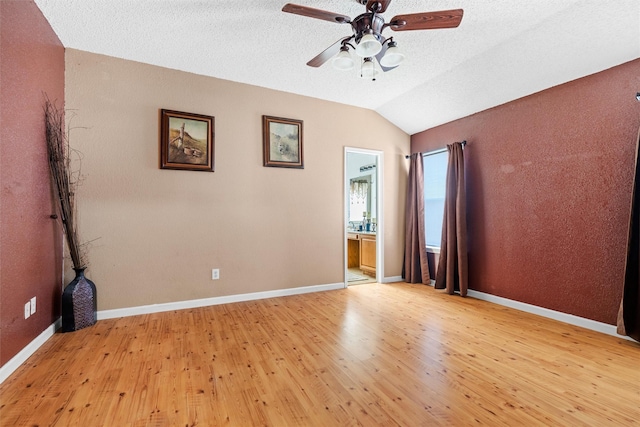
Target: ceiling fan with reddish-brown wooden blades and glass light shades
{"x": 370, "y": 44}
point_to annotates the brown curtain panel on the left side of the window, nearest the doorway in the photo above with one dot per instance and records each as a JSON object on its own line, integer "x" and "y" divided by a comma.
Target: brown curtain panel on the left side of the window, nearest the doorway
{"x": 415, "y": 268}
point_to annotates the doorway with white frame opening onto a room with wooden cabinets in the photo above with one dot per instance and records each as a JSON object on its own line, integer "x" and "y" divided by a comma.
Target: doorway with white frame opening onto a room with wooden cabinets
{"x": 363, "y": 216}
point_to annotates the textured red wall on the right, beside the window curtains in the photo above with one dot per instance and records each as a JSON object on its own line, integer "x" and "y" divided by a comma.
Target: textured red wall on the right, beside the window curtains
{"x": 549, "y": 186}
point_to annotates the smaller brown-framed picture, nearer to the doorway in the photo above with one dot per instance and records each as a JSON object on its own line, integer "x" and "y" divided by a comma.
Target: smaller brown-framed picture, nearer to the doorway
{"x": 282, "y": 142}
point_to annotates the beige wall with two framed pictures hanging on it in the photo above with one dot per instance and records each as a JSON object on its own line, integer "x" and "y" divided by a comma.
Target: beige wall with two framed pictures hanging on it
{"x": 160, "y": 232}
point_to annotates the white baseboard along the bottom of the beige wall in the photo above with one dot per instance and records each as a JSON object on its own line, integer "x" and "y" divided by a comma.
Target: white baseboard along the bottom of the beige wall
{"x": 181, "y": 305}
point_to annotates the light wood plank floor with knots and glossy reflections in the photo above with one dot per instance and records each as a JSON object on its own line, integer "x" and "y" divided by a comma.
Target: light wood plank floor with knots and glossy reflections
{"x": 369, "y": 355}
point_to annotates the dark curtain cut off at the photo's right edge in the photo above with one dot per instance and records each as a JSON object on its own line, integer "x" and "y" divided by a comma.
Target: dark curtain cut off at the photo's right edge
{"x": 629, "y": 313}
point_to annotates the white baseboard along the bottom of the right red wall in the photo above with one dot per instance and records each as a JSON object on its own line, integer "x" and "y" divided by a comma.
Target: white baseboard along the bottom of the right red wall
{"x": 551, "y": 314}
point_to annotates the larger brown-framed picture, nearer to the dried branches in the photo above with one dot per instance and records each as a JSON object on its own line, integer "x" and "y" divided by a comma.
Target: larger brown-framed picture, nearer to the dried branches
{"x": 187, "y": 141}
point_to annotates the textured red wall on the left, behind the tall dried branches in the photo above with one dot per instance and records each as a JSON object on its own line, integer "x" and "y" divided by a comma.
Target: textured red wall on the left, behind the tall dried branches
{"x": 31, "y": 63}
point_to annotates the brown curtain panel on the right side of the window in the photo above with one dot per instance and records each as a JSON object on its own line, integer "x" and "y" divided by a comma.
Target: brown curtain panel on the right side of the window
{"x": 452, "y": 267}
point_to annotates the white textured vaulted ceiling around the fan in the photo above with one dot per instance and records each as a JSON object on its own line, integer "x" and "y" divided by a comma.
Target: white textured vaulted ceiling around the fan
{"x": 502, "y": 50}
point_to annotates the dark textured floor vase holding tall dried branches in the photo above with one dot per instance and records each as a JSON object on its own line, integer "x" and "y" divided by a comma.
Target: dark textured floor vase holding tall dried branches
{"x": 79, "y": 305}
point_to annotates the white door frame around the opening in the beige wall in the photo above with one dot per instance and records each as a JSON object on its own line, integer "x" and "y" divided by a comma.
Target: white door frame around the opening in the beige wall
{"x": 379, "y": 210}
